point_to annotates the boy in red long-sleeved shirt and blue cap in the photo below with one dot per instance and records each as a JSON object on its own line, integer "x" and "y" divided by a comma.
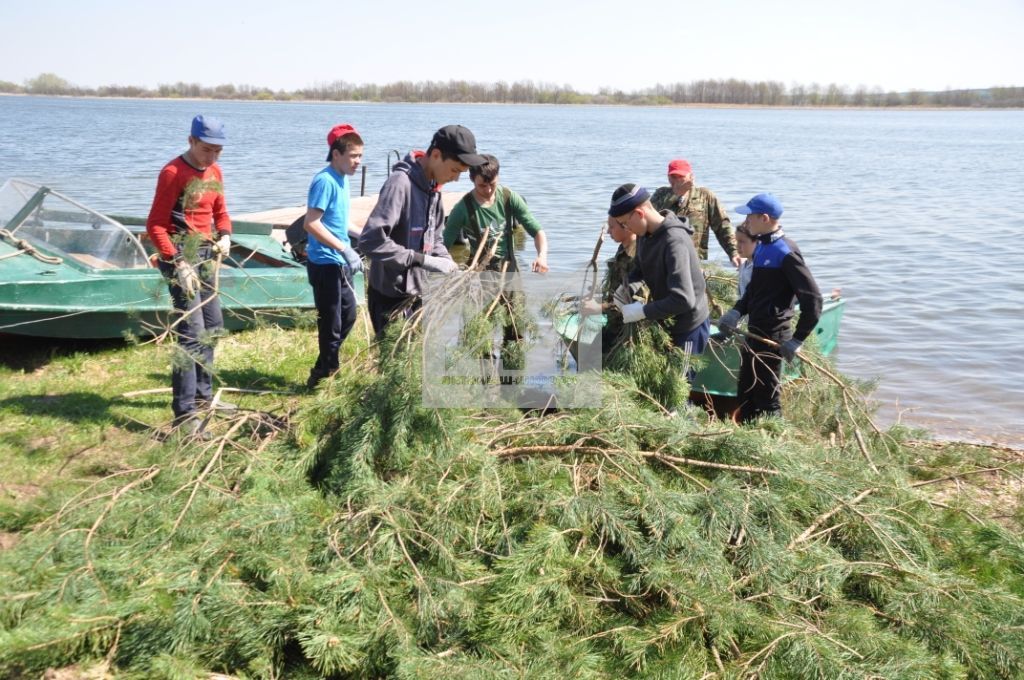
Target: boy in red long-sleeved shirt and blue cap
{"x": 189, "y": 225}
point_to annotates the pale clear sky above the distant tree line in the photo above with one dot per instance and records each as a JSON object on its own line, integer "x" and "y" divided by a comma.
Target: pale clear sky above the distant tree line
{"x": 890, "y": 45}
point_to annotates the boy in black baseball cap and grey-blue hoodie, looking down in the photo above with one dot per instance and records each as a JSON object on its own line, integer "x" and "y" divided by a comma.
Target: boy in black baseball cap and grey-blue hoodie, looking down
{"x": 404, "y": 236}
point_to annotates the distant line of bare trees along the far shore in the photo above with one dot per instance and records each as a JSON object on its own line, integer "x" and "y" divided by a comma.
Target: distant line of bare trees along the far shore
{"x": 732, "y": 92}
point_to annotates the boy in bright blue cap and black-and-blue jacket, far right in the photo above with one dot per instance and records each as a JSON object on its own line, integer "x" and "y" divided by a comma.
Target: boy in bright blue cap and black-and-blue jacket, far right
{"x": 781, "y": 277}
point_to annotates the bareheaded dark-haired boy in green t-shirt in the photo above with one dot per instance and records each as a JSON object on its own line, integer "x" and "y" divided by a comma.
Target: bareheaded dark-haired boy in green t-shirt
{"x": 501, "y": 209}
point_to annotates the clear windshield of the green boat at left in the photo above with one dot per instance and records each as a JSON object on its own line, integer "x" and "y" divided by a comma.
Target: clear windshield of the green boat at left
{"x": 55, "y": 223}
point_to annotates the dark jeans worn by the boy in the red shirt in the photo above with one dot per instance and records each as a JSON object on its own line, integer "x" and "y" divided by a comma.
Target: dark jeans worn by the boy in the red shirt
{"x": 201, "y": 321}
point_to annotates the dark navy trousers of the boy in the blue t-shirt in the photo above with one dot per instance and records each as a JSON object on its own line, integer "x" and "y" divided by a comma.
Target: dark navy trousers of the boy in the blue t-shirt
{"x": 335, "y": 303}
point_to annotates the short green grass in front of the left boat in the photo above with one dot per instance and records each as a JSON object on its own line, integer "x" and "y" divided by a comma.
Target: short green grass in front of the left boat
{"x": 65, "y": 419}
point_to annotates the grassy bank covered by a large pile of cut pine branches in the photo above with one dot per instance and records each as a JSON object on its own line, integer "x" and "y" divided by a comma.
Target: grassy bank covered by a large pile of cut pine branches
{"x": 371, "y": 538}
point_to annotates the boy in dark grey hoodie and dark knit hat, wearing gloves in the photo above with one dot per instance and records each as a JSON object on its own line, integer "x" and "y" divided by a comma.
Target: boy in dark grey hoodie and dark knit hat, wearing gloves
{"x": 667, "y": 262}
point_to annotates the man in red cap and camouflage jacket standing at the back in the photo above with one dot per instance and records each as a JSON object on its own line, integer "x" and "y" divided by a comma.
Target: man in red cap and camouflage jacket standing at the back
{"x": 701, "y": 208}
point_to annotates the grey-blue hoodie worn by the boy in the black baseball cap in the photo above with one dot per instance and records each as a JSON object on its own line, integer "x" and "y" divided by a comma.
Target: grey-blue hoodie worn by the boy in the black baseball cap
{"x": 407, "y": 224}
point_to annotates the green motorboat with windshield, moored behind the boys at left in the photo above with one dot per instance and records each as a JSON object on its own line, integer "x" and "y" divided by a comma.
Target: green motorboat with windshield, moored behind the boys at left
{"x": 69, "y": 272}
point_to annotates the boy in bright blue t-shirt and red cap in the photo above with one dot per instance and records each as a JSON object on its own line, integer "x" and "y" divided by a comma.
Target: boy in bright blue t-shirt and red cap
{"x": 332, "y": 260}
